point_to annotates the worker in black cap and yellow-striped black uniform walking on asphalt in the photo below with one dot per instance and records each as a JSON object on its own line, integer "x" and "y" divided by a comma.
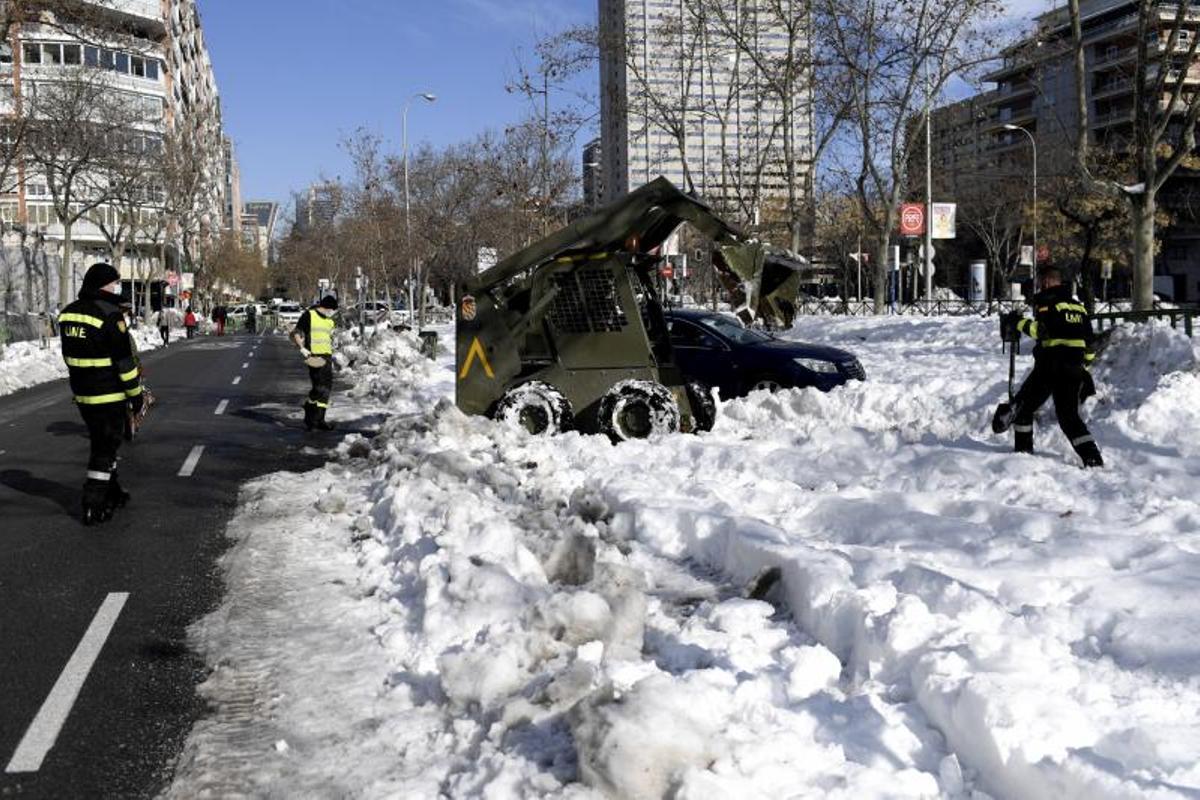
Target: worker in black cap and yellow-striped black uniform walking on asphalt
{"x": 106, "y": 382}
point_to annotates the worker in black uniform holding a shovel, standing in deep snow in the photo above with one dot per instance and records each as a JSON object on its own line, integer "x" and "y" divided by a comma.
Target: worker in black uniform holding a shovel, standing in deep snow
{"x": 1063, "y": 354}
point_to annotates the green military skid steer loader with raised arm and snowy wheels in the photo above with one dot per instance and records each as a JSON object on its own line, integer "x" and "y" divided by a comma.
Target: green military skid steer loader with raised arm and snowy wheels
{"x": 569, "y": 333}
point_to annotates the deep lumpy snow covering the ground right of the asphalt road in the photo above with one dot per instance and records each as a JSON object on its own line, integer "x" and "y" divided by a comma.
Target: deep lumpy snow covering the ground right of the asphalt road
{"x": 857, "y": 594}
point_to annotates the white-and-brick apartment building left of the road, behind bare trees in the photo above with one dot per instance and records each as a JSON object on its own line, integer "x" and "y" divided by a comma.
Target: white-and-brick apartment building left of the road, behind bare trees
{"x": 152, "y": 55}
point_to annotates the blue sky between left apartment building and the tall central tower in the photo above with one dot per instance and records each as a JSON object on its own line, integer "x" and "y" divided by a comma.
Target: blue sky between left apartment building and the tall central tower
{"x": 296, "y": 76}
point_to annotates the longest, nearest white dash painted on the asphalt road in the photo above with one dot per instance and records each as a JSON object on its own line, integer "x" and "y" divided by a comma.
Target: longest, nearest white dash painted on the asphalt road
{"x": 44, "y": 731}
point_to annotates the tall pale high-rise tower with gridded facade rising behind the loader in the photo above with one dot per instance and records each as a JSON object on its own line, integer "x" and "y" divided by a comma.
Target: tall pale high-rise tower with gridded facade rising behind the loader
{"x": 653, "y": 55}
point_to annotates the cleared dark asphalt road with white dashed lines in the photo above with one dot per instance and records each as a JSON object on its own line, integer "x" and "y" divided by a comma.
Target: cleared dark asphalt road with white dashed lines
{"x": 97, "y": 679}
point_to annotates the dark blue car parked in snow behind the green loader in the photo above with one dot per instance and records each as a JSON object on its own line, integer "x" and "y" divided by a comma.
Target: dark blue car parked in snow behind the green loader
{"x": 719, "y": 352}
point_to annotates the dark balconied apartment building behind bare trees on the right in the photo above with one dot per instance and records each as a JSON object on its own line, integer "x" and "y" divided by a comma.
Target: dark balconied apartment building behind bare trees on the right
{"x": 1035, "y": 89}
